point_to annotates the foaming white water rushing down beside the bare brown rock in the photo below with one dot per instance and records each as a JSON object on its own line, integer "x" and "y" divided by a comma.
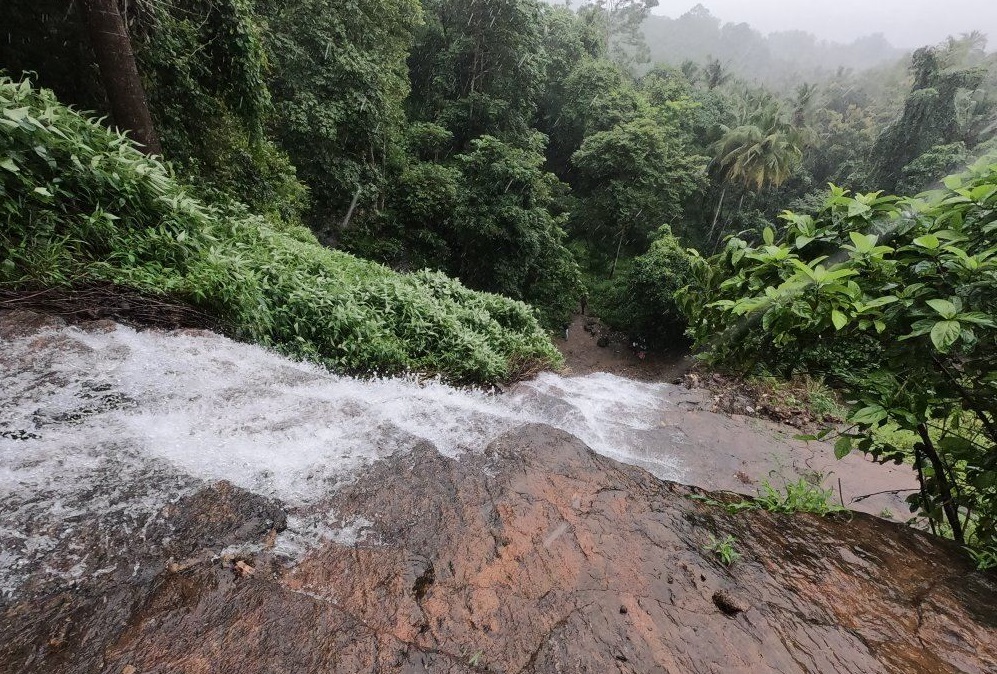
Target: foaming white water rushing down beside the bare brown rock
{"x": 124, "y": 422}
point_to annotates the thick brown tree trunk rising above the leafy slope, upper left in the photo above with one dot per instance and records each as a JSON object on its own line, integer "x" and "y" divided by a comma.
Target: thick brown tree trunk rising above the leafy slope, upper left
{"x": 119, "y": 72}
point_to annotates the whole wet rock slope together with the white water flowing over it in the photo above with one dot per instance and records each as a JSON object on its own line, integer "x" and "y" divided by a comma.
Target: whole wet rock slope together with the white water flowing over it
{"x": 183, "y": 503}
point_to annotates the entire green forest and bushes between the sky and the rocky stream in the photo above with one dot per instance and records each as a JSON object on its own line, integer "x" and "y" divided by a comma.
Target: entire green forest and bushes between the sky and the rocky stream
{"x": 542, "y": 153}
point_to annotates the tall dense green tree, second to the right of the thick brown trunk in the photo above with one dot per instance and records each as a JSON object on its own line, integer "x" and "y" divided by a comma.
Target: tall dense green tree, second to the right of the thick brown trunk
{"x": 338, "y": 81}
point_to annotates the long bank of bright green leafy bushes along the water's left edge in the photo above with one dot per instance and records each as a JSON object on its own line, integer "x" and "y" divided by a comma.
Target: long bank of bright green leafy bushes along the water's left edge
{"x": 79, "y": 204}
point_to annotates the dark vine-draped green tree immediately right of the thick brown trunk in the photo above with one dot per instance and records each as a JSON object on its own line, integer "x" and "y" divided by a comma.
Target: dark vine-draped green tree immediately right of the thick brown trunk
{"x": 204, "y": 65}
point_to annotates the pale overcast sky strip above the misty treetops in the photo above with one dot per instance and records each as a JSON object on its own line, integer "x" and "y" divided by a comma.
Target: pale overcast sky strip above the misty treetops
{"x": 906, "y": 23}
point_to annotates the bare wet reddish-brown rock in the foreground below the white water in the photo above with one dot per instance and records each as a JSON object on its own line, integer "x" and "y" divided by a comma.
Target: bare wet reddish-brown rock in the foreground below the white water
{"x": 538, "y": 556}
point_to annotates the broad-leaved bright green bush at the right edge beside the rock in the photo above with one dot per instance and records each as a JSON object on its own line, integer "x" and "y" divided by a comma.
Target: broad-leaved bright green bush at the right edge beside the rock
{"x": 915, "y": 277}
